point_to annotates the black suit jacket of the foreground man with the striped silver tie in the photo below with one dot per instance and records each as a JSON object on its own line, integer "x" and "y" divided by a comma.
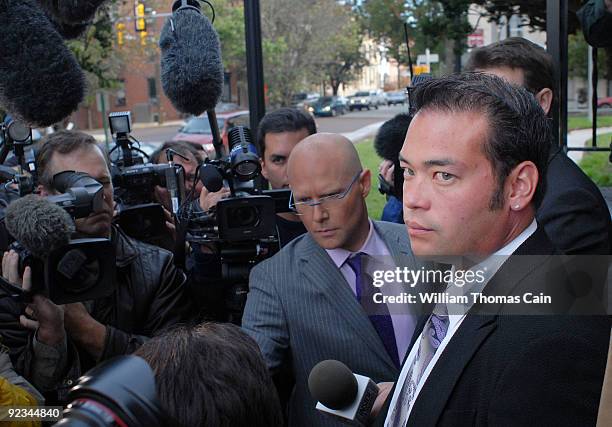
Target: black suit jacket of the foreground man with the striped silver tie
{"x": 517, "y": 370}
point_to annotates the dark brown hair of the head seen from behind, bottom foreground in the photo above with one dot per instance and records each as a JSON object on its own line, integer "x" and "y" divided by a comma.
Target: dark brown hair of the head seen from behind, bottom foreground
{"x": 212, "y": 375}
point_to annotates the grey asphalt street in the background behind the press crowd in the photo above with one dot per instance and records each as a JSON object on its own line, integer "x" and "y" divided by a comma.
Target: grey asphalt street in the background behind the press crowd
{"x": 347, "y": 123}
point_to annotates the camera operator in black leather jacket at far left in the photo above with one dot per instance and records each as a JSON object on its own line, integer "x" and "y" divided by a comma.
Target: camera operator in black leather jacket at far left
{"x": 149, "y": 294}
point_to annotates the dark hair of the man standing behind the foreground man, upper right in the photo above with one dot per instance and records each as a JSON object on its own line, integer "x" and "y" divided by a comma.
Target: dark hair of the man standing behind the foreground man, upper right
{"x": 517, "y": 52}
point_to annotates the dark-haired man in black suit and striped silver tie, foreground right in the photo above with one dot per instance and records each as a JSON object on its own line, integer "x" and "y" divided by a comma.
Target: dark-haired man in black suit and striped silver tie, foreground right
{"x": 470, "y": 196}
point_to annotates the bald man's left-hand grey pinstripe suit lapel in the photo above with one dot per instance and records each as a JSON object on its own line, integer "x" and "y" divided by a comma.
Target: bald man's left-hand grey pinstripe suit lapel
{"x": 321, "y": 271}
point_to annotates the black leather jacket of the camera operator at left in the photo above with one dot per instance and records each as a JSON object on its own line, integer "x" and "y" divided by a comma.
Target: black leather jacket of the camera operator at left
{"x": 149, "y": 297}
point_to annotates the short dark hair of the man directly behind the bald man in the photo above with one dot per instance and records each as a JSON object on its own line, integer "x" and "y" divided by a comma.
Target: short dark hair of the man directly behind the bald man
{"x": 283, "y": 120}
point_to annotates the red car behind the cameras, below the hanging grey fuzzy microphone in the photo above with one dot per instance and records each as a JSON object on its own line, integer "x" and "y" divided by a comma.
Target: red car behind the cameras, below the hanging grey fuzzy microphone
{"x": 197, "y": 129}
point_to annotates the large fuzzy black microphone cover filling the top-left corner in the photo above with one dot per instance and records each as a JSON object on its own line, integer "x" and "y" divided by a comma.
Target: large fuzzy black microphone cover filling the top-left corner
{"x": 28, "y": 41}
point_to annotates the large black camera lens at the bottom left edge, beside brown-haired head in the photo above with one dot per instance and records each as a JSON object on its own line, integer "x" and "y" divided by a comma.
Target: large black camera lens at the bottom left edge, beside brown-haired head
{"x": 119, "y": 392}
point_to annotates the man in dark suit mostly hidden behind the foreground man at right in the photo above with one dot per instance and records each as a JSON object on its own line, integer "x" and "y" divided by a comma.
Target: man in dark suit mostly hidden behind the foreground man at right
{"x": 573, "y": 211}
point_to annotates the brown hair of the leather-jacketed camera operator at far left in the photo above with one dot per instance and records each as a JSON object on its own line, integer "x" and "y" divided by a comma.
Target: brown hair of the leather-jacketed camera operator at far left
{"x": 61, "y": 142}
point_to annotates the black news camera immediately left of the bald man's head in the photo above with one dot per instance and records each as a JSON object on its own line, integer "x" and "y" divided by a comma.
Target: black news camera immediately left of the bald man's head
{"x": 240, "y": 229}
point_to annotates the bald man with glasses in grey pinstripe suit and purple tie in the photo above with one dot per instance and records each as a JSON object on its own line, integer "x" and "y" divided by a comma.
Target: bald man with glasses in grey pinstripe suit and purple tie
{"x": 307, "y": 303}
